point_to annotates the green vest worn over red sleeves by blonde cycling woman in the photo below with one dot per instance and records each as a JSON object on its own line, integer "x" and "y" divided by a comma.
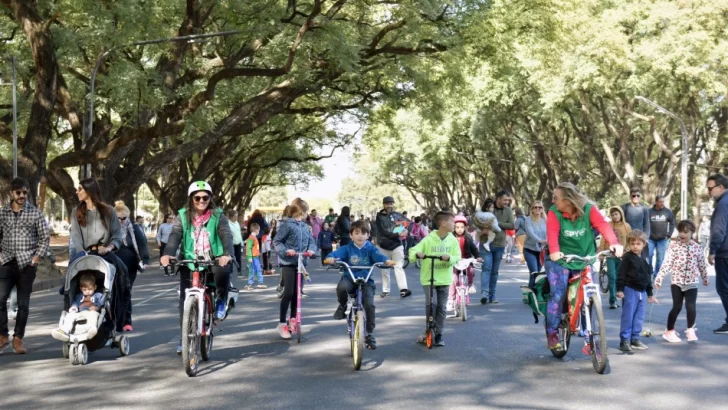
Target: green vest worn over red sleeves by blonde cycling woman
{"x": 576, "y": 238}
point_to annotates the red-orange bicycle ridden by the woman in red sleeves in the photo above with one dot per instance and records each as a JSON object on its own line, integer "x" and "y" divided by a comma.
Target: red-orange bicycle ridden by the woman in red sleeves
{"x": 583, "y": 296}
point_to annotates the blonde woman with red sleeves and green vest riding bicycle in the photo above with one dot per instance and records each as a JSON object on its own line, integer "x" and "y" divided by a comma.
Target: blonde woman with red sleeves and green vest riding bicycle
{"x": 570, "y": 224}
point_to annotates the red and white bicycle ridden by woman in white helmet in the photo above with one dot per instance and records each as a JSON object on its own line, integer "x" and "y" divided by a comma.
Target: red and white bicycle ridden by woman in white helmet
{"x": 198, "y": 314}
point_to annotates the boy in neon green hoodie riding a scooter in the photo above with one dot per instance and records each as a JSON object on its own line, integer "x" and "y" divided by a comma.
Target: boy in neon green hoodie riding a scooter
{"x": 438, "y": 243}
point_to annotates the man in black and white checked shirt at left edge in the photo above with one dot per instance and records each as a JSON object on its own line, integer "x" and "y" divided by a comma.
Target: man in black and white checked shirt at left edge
{"x": 25, "y": 238}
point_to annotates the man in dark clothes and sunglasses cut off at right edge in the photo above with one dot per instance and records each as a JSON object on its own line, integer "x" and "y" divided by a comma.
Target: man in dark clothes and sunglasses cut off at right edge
{"x": 718, "y": 248}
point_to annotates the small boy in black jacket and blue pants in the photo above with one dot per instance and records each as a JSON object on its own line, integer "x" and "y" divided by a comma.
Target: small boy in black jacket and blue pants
{"x": 634, "y": 286}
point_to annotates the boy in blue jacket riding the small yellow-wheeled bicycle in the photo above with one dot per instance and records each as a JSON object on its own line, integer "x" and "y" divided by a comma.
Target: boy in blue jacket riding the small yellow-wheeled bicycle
{"x": 359, "y": 252}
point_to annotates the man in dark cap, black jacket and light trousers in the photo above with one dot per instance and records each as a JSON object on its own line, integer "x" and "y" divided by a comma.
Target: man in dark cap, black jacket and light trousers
{"x": 390, "y": 244}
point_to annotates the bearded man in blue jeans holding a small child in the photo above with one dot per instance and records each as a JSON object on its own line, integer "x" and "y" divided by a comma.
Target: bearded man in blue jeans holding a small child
{"x": 492, "y": 259}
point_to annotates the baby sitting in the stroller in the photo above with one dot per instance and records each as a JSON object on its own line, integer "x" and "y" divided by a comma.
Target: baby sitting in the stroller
{"x": 83, "y": 315}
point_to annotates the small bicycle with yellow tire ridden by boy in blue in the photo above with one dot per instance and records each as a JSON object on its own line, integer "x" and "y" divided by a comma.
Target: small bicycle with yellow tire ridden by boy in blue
{"x": 356, "y": 319}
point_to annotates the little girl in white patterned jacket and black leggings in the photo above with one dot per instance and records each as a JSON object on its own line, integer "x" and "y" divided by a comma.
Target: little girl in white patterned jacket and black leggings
{"x": 685, "y": 263}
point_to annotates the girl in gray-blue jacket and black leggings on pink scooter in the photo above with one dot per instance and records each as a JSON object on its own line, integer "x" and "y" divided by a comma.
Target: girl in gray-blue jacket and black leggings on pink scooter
{"x": 293, "y": 236}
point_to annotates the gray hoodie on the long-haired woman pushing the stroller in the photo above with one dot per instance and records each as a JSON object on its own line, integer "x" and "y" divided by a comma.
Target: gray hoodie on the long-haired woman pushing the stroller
{"x": 94, "y": 233}
